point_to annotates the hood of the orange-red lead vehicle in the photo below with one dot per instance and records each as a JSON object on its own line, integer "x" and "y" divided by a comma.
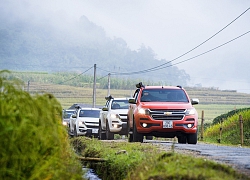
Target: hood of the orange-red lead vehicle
{"x": 166, "y": 105}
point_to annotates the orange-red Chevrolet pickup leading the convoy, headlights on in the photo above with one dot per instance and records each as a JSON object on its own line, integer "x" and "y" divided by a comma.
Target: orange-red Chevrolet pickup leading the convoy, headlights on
{"x": 162, "y": 111}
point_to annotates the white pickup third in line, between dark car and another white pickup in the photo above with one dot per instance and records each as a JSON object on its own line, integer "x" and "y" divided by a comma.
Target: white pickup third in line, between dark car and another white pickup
{"x": 84, "y": 121}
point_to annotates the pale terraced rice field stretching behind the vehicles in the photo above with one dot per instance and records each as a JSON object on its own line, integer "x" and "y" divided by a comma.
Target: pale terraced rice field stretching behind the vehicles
{"x": 212, "y": 102}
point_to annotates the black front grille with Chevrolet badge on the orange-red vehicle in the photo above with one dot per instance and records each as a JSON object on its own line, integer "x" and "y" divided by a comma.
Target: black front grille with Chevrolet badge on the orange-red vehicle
{"x": 167, "y": 114}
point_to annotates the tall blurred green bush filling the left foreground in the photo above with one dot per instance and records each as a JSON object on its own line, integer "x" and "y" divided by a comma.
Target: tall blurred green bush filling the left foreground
{"x": 33, "y": 141}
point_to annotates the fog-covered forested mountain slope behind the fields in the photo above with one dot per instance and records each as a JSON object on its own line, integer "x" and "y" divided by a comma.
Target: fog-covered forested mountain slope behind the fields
{"x": 36, "y": 40}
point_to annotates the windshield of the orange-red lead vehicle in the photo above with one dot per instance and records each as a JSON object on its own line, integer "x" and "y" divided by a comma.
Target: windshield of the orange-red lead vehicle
{"x": 163, "y": 95}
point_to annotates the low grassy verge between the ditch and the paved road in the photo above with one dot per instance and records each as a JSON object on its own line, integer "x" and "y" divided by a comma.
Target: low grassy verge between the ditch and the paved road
{"x": 147, "y": 161}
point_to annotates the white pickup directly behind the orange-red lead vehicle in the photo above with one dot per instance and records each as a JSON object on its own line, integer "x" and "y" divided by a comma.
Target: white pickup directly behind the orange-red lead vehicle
{"x": 113, "y": 118}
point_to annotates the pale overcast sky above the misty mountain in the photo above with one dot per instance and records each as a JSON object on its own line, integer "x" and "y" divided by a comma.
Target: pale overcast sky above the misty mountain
{"x": 172, "y": 28}
